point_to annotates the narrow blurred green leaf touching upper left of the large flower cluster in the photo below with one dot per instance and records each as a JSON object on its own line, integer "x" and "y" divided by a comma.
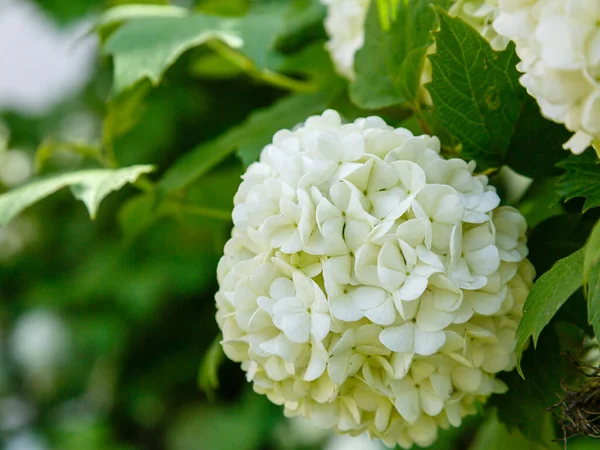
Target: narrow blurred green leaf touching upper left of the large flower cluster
{"x": 249, "y": 137}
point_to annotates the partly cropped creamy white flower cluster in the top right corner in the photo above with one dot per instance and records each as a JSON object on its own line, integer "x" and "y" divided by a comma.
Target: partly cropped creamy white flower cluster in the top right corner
{"x": 558, "y": 42}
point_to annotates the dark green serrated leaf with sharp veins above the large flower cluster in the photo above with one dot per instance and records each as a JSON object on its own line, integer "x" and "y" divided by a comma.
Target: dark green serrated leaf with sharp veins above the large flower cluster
{"x": 475, "y": 91}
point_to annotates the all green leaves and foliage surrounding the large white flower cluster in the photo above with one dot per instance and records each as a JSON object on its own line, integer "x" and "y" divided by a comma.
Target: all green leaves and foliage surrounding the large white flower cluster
{"x": 197, "y": 91}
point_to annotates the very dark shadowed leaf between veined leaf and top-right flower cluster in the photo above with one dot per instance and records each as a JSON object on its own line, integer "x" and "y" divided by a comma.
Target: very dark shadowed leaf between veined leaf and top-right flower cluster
{"x": 536, "y": 145}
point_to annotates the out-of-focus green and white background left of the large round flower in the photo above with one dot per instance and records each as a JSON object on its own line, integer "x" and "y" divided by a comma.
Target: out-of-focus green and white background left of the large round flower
{"x": 104, "y": 325}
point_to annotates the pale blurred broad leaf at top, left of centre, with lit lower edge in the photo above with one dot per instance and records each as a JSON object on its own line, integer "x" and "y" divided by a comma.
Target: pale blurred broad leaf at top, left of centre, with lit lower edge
{"x": 147, "y": 47}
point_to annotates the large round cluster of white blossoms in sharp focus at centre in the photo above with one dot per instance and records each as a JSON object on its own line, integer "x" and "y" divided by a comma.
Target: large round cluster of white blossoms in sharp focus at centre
{"x": 371, "y": 285}
